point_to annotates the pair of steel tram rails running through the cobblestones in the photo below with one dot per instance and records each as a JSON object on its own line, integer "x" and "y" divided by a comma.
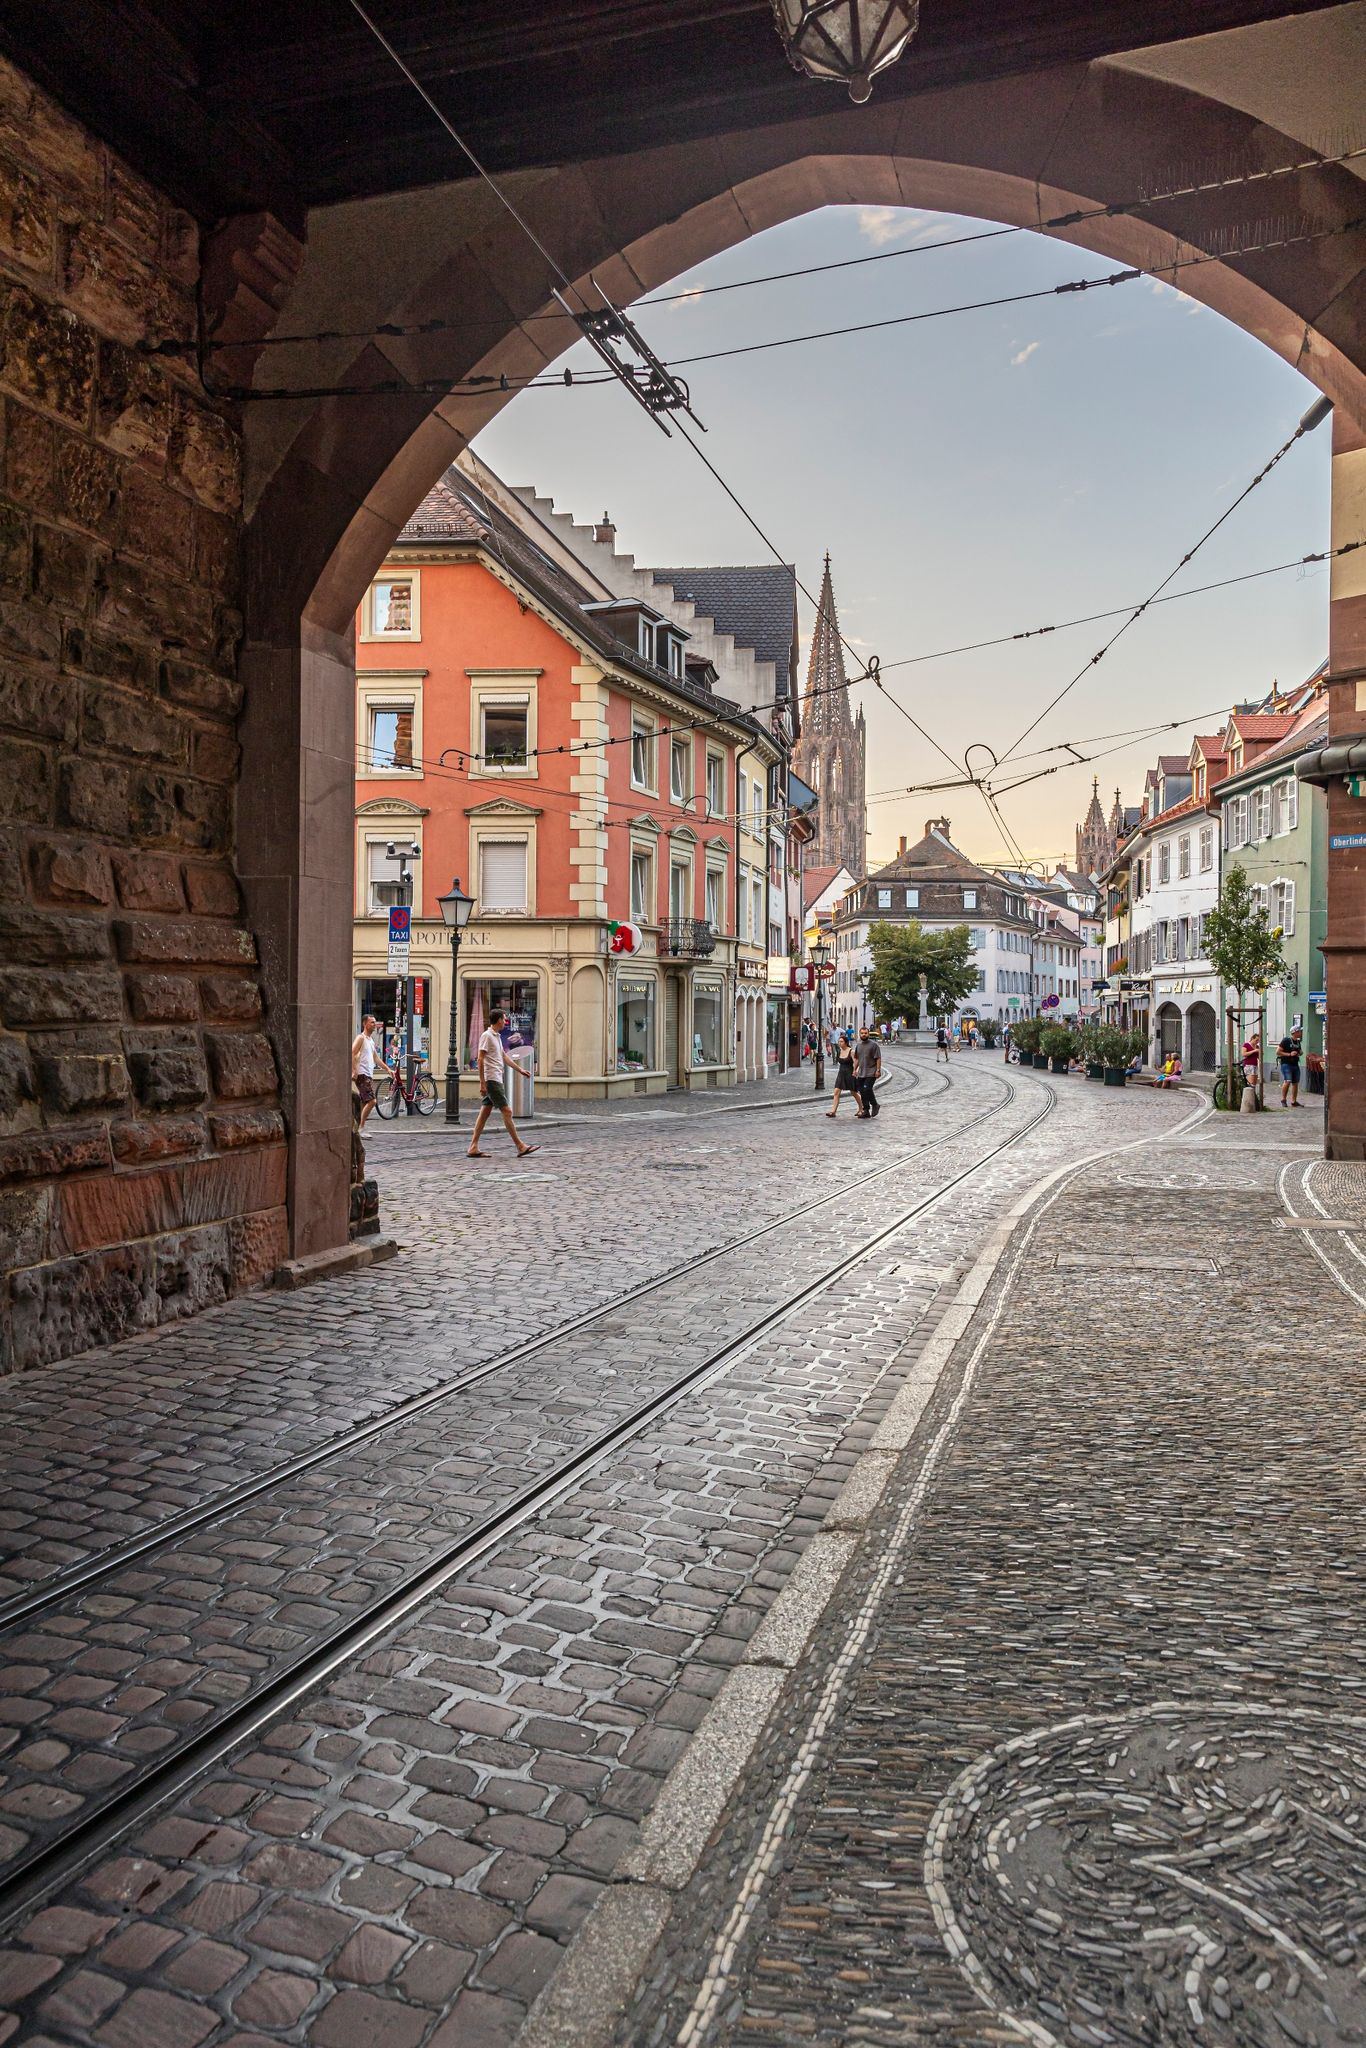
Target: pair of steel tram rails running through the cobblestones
{"x": 163, "y": 1779}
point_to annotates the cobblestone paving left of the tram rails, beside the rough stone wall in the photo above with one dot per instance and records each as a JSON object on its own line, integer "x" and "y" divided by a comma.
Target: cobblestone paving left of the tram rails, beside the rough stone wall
{"x": 118, "y": 1441}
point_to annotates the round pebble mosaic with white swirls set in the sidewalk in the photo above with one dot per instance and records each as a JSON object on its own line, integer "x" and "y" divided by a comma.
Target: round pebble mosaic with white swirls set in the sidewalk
{"x": 1179, "y": 1875}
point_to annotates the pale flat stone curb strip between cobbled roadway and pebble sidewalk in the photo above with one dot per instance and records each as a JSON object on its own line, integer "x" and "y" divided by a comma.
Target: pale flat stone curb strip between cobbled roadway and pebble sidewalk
{"x": 585, "y": 2000}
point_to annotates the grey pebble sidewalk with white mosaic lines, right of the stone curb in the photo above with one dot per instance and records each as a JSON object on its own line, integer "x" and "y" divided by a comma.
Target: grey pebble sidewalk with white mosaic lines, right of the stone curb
{"x": 1099, "y": 1770}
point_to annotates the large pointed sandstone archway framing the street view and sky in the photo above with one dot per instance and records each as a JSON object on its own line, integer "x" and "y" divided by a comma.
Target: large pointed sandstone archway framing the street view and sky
{"x": 333, "y": 480}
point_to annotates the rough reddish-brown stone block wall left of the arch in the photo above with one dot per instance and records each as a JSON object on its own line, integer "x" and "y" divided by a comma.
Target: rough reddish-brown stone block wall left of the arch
{"x": 142, "y": 1150}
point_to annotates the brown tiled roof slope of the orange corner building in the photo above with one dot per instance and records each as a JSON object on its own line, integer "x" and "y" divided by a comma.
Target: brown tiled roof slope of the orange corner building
{"x": 458, "y": 511}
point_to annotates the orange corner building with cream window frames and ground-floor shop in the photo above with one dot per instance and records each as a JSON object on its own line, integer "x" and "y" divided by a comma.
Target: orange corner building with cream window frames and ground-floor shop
{"x": 562, "y": 755}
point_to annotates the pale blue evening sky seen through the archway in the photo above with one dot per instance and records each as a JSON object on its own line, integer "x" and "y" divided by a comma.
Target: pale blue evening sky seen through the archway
{"x": 972, "y": 476}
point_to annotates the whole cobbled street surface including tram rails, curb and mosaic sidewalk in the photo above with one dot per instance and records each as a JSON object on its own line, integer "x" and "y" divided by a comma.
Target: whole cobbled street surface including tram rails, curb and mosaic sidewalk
{"x": 357, "y": 1639}
